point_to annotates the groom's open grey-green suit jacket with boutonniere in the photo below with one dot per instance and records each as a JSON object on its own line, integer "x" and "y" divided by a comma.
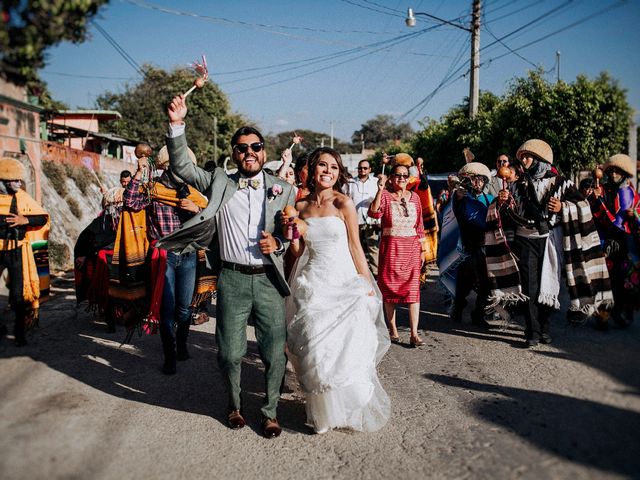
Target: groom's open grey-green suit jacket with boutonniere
{"x": 218, "y": 187}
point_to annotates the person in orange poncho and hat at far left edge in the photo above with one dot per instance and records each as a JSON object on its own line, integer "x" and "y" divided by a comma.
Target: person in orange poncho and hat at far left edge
{"x": 22, "y": 221}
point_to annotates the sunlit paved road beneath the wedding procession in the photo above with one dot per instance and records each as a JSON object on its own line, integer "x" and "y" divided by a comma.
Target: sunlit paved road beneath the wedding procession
{"x": 471, "y": 404}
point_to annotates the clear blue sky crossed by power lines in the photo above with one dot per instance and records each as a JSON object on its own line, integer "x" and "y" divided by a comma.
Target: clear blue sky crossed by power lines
{"x": 310, "y": 64}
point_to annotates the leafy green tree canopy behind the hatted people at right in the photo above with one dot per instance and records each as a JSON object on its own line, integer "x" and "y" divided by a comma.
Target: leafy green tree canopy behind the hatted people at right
{"x": 584, "y": 122}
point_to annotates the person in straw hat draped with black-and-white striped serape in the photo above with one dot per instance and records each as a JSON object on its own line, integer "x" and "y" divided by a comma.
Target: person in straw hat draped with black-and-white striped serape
{"x": 552, "y": 221}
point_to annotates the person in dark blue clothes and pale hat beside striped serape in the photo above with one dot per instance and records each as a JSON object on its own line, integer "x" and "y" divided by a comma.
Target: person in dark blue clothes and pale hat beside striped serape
{"x": 470, "y": 204}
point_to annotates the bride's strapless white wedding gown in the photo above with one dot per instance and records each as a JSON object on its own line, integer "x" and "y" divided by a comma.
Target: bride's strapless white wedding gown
{"x": 336, "y": 333}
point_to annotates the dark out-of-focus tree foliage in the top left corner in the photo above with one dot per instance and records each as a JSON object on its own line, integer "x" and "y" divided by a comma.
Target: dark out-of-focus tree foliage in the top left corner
{"x": 29, "y": 27}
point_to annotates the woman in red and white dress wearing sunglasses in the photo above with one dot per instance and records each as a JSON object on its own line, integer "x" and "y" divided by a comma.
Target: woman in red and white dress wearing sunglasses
{"x": 401, "y": 252}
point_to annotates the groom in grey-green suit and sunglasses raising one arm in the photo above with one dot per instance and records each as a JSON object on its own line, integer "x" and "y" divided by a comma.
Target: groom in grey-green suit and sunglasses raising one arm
{"x": 244, "y": 211}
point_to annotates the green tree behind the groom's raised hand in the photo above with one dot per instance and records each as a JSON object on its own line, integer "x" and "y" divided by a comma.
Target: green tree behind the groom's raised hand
{"x": 144, "y": 111}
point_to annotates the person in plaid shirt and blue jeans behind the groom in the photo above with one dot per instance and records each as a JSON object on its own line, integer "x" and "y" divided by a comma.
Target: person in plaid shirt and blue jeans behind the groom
{"x": 168, "y": 203}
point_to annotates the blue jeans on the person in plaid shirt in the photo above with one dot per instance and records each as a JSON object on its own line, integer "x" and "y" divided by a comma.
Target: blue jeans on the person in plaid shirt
{"x": 179, "y": 282}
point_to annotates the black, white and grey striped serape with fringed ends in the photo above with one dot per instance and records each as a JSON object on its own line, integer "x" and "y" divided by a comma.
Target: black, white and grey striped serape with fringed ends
{"x": 574, "y": 242}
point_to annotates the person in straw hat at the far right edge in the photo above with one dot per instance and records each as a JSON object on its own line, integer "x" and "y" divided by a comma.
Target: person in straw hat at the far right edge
{"x": 615, "y": 209}
